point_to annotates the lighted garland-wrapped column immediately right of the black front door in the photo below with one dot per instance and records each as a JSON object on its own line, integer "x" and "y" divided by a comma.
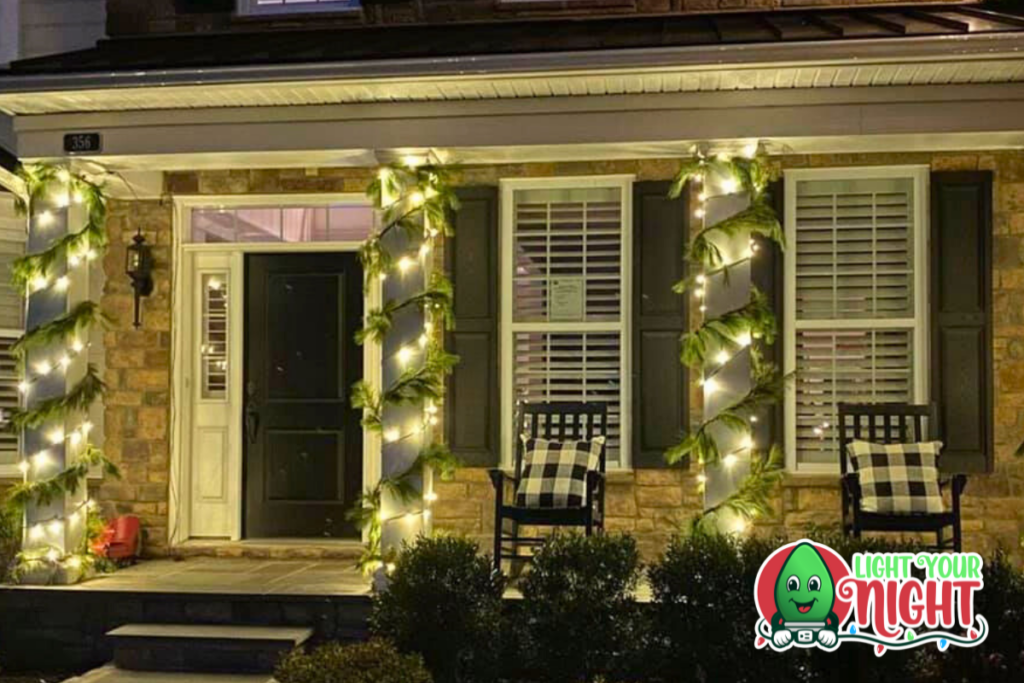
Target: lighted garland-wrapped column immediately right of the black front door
{"x": 413, "y": 205}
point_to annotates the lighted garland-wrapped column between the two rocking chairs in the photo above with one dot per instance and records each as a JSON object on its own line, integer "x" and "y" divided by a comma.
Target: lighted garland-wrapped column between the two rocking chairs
{"x": 728, "y": 348}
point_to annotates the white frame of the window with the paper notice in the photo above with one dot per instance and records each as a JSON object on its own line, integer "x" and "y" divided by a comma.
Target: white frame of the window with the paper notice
{"x": 509, "y": 329}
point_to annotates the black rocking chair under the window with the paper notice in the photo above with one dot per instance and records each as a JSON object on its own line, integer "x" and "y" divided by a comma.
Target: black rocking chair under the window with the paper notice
{"x": 559, "y": 422}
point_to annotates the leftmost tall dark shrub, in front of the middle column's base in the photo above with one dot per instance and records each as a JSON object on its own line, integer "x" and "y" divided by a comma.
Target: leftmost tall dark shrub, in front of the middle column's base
{"x": 445, "y": 603}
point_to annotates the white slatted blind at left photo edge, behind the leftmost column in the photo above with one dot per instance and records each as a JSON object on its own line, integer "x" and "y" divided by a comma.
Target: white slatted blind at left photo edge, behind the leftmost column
{"x": 13, "y": 239}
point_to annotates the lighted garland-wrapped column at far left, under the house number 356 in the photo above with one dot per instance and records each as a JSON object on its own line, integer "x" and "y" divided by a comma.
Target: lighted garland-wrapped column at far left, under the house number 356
{"x": 67, "y": 215}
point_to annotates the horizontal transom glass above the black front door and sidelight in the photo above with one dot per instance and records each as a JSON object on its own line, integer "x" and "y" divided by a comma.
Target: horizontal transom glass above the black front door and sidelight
{"x": 337, "y": 223}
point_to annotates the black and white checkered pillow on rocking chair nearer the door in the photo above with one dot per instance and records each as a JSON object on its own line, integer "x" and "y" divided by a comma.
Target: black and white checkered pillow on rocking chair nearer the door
{"x": 556, "y": 473}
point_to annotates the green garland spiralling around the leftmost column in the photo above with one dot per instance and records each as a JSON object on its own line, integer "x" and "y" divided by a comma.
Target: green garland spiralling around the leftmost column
{"x": 60, "y": 187}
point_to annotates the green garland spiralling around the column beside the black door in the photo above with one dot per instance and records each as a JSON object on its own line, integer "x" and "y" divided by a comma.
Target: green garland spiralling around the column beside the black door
{"x": 417, "y": 202}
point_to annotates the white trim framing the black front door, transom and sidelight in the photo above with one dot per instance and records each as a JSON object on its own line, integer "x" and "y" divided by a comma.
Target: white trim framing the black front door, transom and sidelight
{"x": 183, "y": 327}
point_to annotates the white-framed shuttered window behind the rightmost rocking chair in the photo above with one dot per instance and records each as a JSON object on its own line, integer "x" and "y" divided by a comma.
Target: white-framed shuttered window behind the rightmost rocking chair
{"x": 856, "y": 300}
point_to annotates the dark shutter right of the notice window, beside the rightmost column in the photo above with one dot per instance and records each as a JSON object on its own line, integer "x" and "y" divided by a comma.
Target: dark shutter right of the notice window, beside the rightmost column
{"x": 661, "y": 387}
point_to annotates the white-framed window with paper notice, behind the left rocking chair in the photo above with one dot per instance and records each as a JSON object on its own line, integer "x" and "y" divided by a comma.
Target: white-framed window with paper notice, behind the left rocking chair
{"x": 566, "y": 298}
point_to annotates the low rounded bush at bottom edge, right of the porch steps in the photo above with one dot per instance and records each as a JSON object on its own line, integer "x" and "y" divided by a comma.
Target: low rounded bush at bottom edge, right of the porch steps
{"x": 376, "y": 662}
